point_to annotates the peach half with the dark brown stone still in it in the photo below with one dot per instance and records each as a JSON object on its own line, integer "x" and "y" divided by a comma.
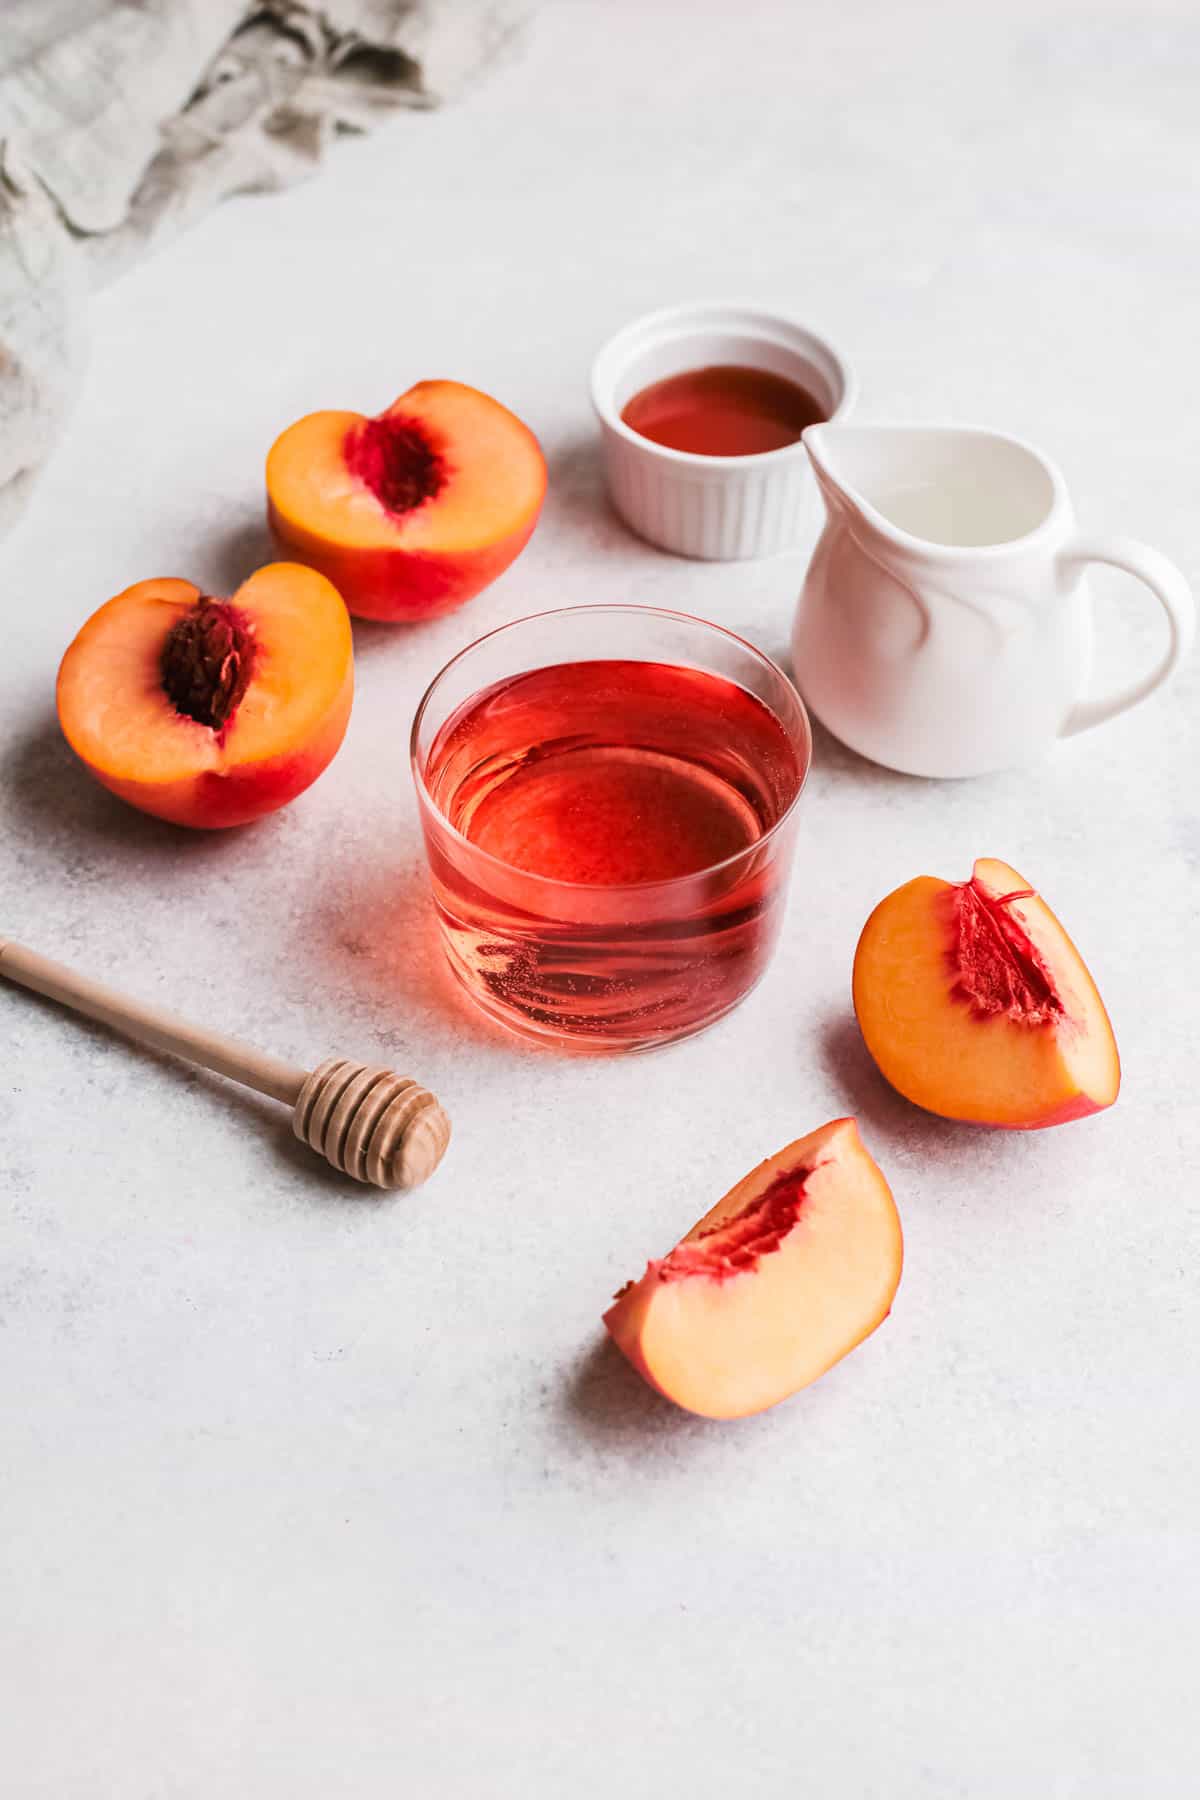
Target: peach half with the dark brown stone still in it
{"x": 211, "y": 712}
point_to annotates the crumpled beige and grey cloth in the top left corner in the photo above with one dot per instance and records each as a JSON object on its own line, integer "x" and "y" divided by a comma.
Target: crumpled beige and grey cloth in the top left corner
{"x": 125, "y": 120}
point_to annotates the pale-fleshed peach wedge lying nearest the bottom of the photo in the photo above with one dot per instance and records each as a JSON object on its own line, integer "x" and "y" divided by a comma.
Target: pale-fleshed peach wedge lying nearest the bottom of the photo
{"x": 794, "y": 1268}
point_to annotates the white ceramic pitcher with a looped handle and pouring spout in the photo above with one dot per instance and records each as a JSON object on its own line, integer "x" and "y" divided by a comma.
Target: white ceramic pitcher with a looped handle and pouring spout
{"x": 945, "y": 625}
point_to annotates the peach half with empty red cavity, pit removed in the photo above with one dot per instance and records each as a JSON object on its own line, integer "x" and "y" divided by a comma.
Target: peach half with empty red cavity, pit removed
{"x": 413, "y": 512}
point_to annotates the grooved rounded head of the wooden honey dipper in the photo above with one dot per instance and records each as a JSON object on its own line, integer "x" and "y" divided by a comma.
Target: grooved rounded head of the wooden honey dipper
{"x": 372, "y": 1124}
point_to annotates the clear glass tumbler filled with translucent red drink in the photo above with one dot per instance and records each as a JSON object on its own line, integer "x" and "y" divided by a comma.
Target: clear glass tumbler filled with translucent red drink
{"x": 609, "y": 798}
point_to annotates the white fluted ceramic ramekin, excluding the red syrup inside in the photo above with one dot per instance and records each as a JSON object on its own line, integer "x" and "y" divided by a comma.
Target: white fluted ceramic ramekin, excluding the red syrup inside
{"x": 722, "y": 508}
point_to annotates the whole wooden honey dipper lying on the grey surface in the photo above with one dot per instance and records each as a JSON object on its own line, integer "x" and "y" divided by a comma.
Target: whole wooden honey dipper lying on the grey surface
{"x": 368, "y": 1122}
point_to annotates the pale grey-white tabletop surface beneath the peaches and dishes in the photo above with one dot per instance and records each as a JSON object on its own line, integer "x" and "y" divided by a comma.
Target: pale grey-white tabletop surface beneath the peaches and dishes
{"x": 314, "y": 1495}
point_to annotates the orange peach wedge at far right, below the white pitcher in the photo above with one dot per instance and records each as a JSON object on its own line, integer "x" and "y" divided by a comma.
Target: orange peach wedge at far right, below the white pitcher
{"x": 976, "y": 1003}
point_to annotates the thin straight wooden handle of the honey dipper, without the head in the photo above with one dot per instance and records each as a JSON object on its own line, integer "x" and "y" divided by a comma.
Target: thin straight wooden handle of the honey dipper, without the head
{"x": 150, "y": 1025}
